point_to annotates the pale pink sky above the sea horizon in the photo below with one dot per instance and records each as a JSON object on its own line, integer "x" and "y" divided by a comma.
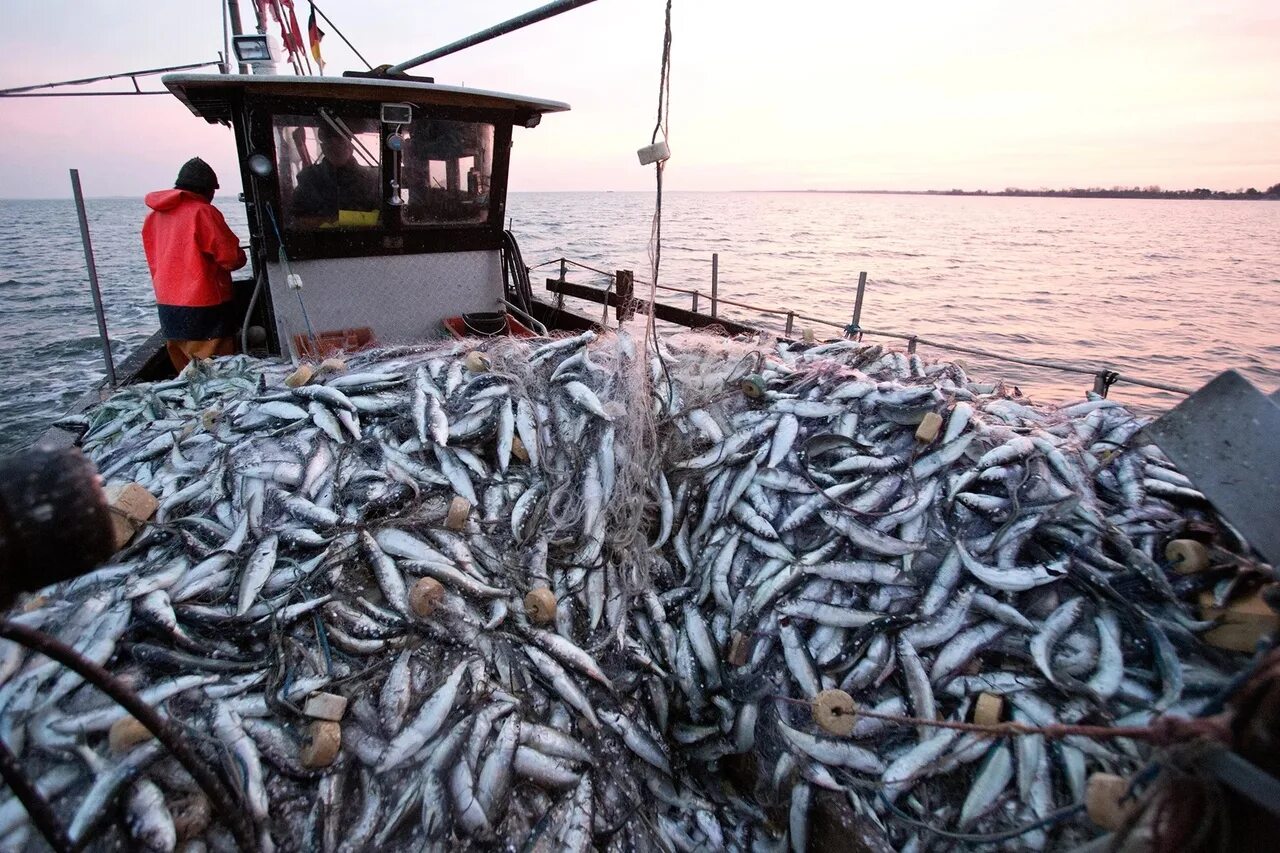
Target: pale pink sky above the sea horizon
{"x": 802, "y": 95}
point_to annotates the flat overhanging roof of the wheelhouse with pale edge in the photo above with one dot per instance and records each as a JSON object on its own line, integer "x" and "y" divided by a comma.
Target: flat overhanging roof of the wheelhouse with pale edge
{"x": 211, "y": 97}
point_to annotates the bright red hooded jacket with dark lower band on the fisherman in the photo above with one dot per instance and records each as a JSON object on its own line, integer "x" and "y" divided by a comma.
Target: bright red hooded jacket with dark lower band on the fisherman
{"x": 191, "y": 253}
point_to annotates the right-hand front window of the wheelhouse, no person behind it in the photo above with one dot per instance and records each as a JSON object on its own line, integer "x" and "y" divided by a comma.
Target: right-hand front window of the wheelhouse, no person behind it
{"x": 446, "y": 172}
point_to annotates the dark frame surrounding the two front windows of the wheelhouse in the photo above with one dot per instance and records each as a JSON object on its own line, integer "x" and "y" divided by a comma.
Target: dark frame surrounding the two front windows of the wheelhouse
{"x": 391, "y": 236}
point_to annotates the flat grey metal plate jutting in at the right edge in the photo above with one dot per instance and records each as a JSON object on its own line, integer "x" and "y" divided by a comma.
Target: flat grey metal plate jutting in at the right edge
{"x": 1224, "y": 439}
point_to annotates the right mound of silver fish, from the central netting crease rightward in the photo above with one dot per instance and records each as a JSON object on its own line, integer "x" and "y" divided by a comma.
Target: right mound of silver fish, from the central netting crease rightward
{"x": 825, "y": 545}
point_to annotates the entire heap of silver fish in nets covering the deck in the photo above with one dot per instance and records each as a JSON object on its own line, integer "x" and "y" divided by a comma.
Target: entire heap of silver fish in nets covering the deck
{"x": 723, "y": 532}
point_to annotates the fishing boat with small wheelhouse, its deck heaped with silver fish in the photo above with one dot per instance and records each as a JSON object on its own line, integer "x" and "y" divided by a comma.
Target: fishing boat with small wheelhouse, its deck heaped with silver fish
{"x": 427, "y": 259}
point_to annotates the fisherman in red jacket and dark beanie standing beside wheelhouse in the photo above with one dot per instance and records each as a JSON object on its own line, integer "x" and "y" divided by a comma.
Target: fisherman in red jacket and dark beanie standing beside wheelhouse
{"x": 193, "y": 253}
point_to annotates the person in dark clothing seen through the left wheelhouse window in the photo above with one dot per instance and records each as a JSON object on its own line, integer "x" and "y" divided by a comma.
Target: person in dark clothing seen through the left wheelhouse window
{"x": 337, "y": 190}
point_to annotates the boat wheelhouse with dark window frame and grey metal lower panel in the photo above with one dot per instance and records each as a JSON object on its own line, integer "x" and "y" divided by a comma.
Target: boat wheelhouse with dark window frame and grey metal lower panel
{"x": 376, "y": 206}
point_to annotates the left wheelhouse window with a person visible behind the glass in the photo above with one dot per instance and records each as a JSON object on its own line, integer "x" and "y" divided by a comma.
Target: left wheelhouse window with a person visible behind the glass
{"x": 330, "y": 171}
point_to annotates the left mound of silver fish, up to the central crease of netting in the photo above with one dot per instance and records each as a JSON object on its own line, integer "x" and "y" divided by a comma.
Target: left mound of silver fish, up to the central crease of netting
{"x": 294, "y": 524}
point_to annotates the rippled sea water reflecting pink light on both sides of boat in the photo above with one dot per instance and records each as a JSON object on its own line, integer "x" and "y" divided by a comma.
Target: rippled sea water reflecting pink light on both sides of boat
{"x": 1173, "y": 291}
